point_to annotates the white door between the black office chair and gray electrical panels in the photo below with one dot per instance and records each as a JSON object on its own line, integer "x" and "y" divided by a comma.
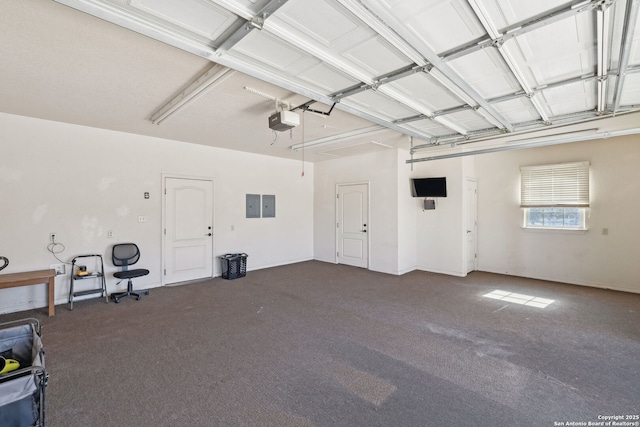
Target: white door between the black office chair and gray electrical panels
{"x": 188, "y": 233}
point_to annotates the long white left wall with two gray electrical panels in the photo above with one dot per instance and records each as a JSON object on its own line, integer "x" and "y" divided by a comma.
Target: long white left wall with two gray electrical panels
{"x": 80, "y": 182}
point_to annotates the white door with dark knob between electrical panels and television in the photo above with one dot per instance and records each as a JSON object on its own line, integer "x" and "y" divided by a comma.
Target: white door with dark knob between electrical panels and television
{"x": 353, "y": 224}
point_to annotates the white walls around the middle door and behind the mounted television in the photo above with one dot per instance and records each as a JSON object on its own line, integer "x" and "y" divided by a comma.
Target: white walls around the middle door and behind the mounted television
{"x": 403, "y": 236}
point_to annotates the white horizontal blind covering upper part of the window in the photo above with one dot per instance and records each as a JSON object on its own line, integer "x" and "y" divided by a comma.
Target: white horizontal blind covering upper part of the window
{"x": 559, "y": 185}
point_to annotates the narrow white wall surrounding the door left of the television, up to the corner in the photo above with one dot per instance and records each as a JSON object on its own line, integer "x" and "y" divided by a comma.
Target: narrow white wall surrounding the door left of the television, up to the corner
{"x": 380, "y": 170}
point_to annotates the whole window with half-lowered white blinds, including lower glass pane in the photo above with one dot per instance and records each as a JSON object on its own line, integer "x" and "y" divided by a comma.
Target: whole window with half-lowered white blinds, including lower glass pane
{"x": 555, "y": 196}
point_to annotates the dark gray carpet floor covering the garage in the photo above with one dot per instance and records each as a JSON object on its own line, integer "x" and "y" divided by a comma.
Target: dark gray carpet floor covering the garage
{"x": 316, "y": 344}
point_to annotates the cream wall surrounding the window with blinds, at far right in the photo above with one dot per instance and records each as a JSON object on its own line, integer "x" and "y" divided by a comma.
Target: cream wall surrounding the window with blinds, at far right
{"x": 586, "y": 258}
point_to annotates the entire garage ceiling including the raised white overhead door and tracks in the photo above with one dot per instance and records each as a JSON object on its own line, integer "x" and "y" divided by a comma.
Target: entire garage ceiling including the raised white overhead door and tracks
{"x": 363, "y": 75}
